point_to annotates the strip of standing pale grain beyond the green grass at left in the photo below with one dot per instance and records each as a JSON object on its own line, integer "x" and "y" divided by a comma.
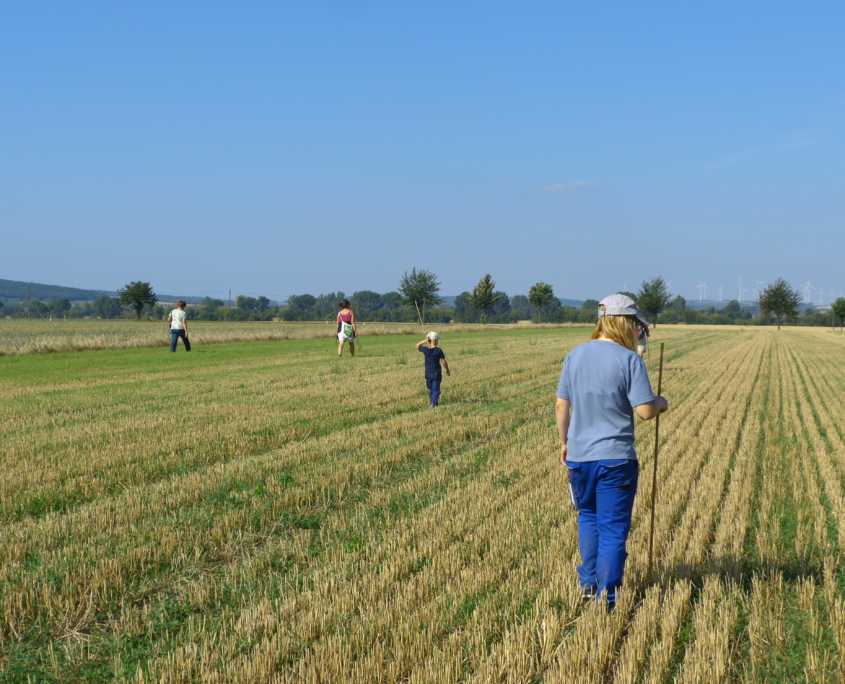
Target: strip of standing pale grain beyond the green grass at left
{"x": 22, "y": 337}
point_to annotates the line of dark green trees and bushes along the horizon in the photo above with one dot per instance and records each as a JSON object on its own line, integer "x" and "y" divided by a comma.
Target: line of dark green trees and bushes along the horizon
{"x": 418, "y": 299}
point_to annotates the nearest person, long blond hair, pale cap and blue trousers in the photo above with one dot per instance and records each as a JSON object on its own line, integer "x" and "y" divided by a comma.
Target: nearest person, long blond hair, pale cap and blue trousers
{"x": 602, "y": 384}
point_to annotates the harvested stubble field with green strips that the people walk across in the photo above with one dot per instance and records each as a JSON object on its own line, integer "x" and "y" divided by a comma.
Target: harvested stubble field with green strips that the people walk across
{"x": 266, "y": 511}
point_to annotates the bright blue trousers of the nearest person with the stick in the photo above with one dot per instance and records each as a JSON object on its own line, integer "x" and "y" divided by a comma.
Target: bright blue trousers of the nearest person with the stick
{"x": 605, "y": 492}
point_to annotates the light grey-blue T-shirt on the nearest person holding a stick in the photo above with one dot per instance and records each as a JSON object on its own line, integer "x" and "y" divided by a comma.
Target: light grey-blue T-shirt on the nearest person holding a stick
{"x": 603, "y": 381}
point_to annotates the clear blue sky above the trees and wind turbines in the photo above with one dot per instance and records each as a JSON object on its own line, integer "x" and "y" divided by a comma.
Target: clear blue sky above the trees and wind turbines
{"x": 283, "y": 148}
